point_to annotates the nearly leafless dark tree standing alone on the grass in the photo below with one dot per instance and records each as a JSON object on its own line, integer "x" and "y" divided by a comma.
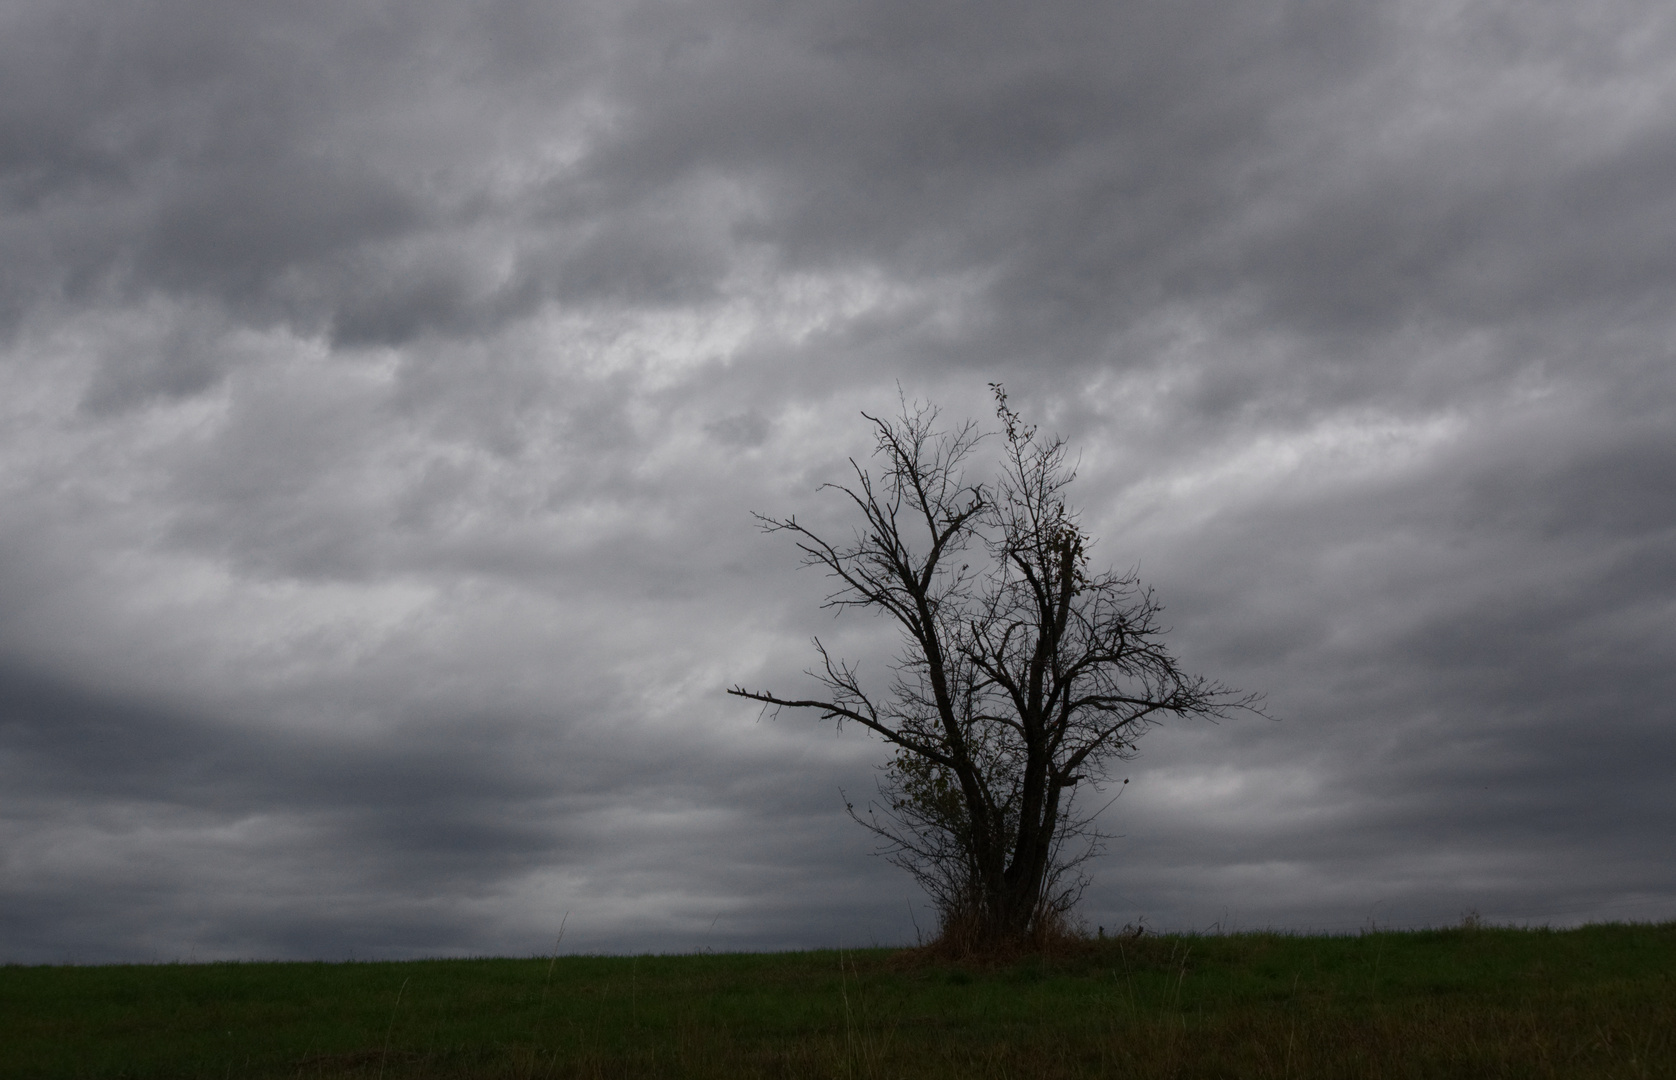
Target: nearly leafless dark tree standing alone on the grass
{"x": 1022, "y": 677}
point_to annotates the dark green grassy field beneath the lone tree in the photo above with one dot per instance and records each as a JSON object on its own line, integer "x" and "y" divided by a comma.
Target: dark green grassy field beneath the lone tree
{"x": 1593, "y": 1002}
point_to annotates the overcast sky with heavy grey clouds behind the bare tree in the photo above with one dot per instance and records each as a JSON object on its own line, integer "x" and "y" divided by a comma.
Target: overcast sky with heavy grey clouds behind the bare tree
{"x": 386, "y": 392}
